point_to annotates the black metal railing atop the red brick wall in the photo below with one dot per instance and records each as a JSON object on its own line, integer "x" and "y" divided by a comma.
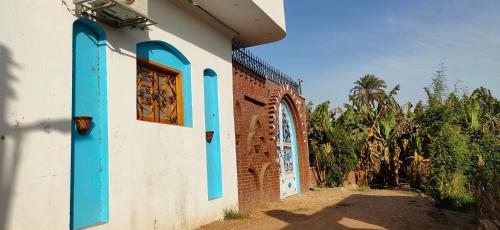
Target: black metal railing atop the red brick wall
{"x": 253, "y": 63}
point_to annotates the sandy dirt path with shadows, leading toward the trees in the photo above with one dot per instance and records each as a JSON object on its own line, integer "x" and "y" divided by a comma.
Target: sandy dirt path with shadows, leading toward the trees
{"x": 350, "y": 209}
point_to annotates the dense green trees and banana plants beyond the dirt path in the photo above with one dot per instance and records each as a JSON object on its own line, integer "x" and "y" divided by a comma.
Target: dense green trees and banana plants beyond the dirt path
{"x": 448, "y": 146}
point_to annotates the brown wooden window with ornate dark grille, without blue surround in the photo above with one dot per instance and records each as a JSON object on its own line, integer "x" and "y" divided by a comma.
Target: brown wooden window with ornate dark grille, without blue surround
{"x": 159, "y": 93}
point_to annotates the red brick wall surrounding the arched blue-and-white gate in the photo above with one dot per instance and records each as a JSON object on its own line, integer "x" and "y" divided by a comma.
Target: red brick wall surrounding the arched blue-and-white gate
{"x": 256, "y": 101}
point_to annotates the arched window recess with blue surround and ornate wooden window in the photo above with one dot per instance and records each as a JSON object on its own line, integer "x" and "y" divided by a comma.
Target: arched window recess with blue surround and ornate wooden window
{"x": 163, "y": 84}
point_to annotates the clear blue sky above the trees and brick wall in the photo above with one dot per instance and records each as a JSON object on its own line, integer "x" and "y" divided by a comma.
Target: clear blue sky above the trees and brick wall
{"x": 332, "y": 43}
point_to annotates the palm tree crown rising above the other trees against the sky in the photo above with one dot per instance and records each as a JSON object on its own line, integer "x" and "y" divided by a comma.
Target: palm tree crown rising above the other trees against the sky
{"x": 367, "y": 90}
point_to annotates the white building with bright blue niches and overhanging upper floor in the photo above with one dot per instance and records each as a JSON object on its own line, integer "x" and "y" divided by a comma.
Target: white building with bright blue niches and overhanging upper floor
{"x": 160, "y": 149}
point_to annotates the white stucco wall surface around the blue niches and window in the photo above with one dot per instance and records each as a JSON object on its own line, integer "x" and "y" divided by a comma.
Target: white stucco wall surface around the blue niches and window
{"x": 157, "y": 173}
